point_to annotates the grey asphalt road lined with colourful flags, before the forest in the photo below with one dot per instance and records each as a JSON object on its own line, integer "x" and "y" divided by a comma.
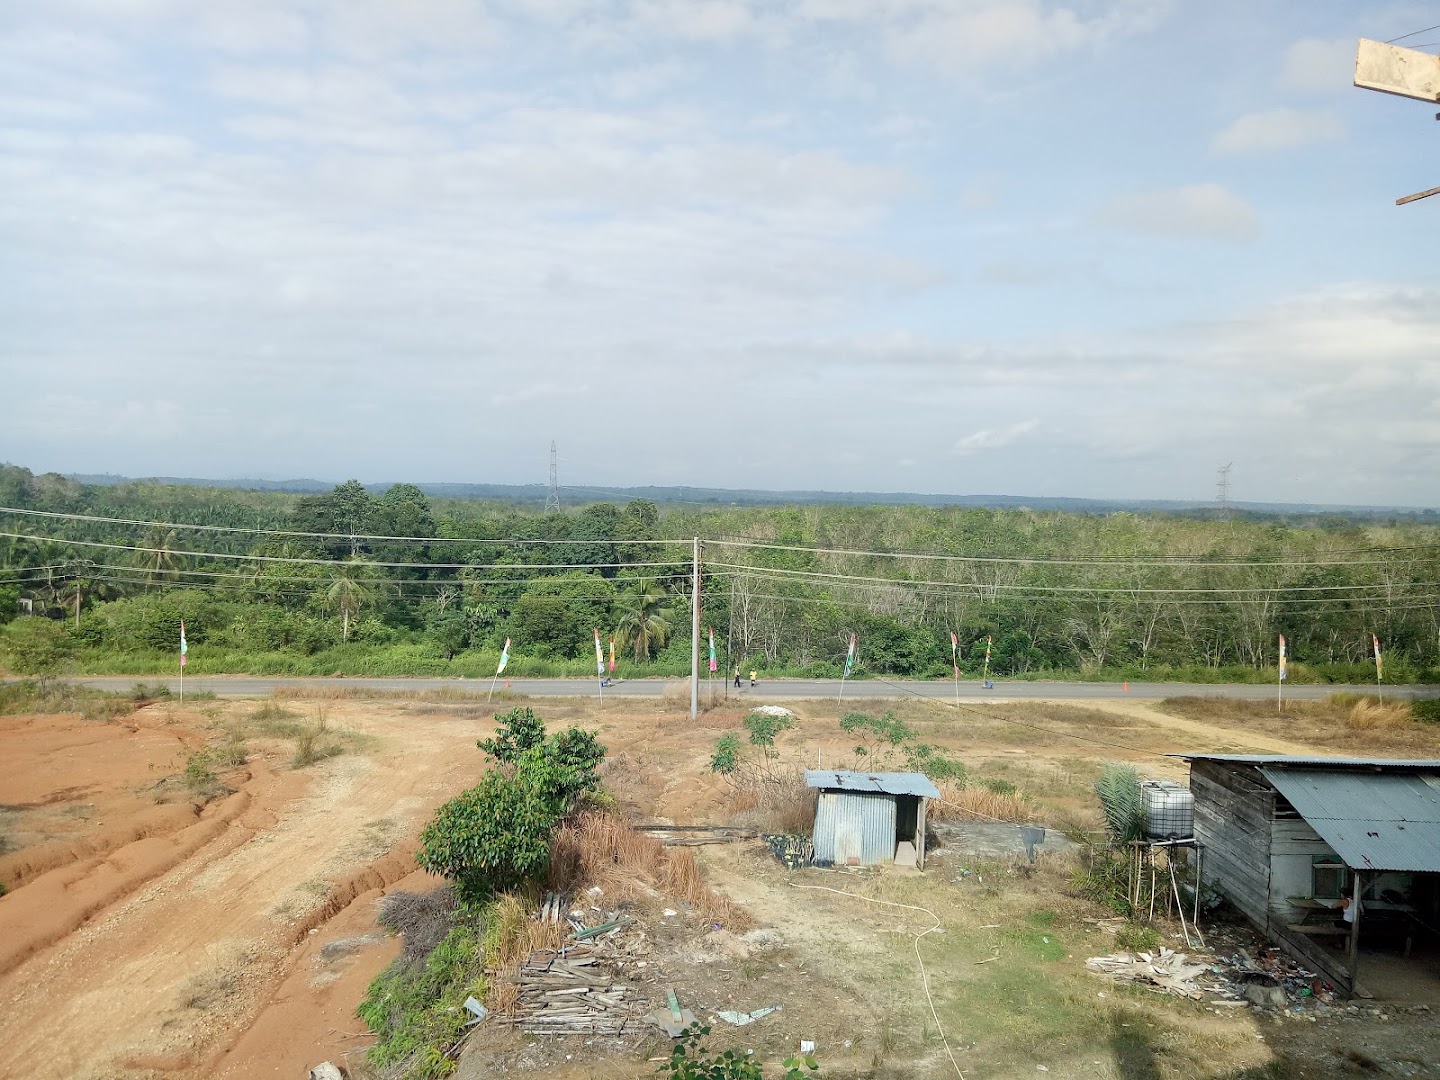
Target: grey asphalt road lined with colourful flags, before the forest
{"x": 256, "y": 686}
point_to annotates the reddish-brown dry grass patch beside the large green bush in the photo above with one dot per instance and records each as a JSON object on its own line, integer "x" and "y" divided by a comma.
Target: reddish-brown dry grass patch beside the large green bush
{"x": 597, "y": 849}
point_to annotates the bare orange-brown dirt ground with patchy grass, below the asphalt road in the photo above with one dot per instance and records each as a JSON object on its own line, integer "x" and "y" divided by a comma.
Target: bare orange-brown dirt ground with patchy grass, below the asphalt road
{"x": 162, "y": 930}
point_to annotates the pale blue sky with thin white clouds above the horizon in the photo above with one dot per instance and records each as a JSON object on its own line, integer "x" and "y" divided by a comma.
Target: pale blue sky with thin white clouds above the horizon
{"x": 971, "y": 247}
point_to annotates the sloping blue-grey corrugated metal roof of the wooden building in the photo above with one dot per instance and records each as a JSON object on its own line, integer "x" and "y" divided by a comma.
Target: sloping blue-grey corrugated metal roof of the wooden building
{"x": 1374, "y": 822}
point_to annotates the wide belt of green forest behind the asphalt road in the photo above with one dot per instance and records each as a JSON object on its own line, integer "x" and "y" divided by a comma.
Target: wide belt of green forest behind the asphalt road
{"x": 404, "y": 582}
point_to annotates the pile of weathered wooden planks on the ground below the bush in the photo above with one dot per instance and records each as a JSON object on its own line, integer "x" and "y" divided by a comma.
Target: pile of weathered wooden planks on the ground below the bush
{"x": 572, "y": 993}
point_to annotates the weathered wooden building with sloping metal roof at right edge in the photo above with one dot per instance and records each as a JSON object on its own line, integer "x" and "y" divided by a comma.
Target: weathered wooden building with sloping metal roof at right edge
{"x": 1287, "y": 839}
